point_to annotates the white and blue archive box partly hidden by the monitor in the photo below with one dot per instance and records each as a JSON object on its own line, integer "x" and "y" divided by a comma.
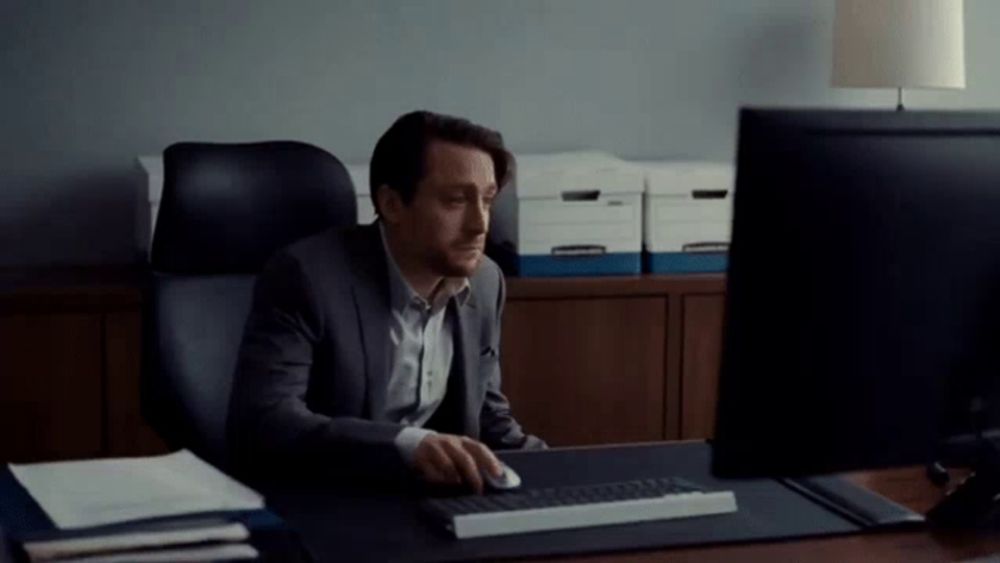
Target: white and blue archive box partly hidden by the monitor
{"x": 687, "y": 216}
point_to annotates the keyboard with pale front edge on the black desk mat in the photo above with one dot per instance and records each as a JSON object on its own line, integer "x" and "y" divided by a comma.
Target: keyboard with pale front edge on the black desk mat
{"x": 556, "y": 508}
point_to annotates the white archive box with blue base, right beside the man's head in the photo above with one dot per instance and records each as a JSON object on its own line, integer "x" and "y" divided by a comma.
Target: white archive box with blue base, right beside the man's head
{"x": 569, "y": 214}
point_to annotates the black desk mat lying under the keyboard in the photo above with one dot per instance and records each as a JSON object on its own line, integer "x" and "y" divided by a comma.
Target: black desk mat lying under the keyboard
{"x": 369, "y": 526}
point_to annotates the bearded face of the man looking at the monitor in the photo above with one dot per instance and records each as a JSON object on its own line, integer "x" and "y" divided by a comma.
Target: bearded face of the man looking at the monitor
{"x": 444, "y": 227}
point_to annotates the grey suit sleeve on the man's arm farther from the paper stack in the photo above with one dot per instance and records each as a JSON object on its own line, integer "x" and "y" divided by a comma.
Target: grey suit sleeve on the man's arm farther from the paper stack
{"x": 498, "y": 429}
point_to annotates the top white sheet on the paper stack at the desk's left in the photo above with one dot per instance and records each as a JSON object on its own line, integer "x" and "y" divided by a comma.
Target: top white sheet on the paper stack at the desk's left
{"x": 76, "y": 494}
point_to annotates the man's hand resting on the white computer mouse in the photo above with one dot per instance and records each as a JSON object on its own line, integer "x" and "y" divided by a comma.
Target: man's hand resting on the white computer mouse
{"x": 446, "y": 459}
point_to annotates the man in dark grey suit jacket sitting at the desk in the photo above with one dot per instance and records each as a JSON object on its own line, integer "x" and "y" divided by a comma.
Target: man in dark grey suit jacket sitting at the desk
{"x": 374, "y": 350}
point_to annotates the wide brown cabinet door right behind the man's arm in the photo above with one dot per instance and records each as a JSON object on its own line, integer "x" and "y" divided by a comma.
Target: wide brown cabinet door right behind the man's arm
{"x": 586, "y": 371}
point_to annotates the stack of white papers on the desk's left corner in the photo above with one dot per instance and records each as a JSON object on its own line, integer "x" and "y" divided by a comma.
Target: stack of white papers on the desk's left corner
{"x": 80, "y": 495}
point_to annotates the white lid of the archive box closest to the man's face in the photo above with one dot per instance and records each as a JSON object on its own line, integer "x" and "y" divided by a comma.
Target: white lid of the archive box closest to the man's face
{"x": 556, "y": 175}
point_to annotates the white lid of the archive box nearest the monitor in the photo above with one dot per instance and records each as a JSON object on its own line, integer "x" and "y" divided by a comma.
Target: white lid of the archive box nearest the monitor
{"x": 681, "y": 177}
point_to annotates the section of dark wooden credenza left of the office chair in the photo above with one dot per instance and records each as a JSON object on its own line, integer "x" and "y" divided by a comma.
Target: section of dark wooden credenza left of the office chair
{"x": 69, "y": 365}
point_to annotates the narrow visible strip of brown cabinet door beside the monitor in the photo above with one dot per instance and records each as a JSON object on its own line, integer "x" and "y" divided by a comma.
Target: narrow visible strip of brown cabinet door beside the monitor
{"x": 701, "y": 355}
